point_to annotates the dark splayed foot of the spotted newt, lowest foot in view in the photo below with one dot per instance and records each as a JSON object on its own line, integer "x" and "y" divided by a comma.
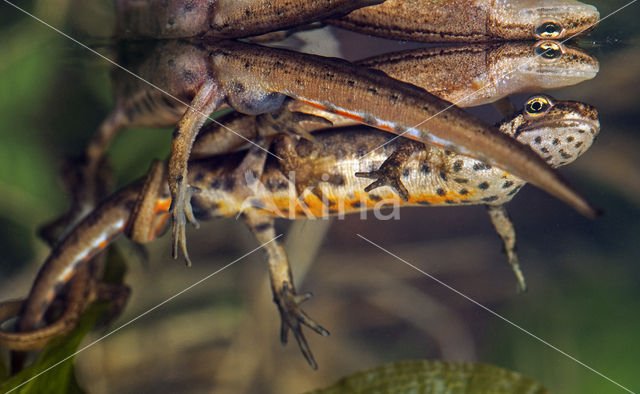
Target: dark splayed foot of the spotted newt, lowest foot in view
{"x": 293, "y": 317}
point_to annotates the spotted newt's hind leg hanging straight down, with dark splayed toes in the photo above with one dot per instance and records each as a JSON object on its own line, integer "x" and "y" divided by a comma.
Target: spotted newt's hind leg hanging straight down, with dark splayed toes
{"x": 284, "y": 294}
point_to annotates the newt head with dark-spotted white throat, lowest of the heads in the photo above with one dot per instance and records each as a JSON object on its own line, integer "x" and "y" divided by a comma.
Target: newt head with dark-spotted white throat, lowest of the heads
{"x": 559, "y": 131}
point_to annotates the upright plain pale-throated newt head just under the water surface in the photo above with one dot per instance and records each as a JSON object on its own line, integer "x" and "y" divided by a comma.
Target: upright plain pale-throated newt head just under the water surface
{"x": 545, "y": 65}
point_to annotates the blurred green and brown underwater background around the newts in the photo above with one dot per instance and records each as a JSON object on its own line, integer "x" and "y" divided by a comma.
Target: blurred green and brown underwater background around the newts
{"x": 223, "y": 335}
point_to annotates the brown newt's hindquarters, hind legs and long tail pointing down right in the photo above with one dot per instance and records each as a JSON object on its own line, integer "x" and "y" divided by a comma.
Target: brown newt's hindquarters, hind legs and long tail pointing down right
{"x": 255, "y": 79}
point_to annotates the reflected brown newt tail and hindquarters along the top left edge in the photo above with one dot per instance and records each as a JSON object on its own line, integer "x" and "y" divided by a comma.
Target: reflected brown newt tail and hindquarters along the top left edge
{"x": 161, "y": 19}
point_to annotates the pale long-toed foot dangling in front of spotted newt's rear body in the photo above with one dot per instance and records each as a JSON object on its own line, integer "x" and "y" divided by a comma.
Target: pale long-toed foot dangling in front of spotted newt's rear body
{"x": 182, "y": 212}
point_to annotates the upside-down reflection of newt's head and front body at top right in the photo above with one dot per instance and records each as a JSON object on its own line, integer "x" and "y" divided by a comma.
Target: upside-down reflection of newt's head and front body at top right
{"x": 470, "y": 20}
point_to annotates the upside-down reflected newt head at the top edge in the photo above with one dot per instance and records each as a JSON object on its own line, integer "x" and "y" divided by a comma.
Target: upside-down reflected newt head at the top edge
{"x": 542, "y": 19}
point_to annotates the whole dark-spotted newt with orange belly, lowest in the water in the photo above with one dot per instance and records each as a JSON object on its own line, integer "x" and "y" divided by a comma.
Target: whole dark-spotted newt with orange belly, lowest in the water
{"x": 329, "y": 180}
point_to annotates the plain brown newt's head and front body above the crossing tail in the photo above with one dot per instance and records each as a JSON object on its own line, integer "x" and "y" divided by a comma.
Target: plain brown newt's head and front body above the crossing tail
{"x": 476, "y": 74}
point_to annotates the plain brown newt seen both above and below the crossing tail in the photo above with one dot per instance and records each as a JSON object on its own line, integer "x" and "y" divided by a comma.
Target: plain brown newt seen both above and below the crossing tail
{"x": 465, "y": 74}
